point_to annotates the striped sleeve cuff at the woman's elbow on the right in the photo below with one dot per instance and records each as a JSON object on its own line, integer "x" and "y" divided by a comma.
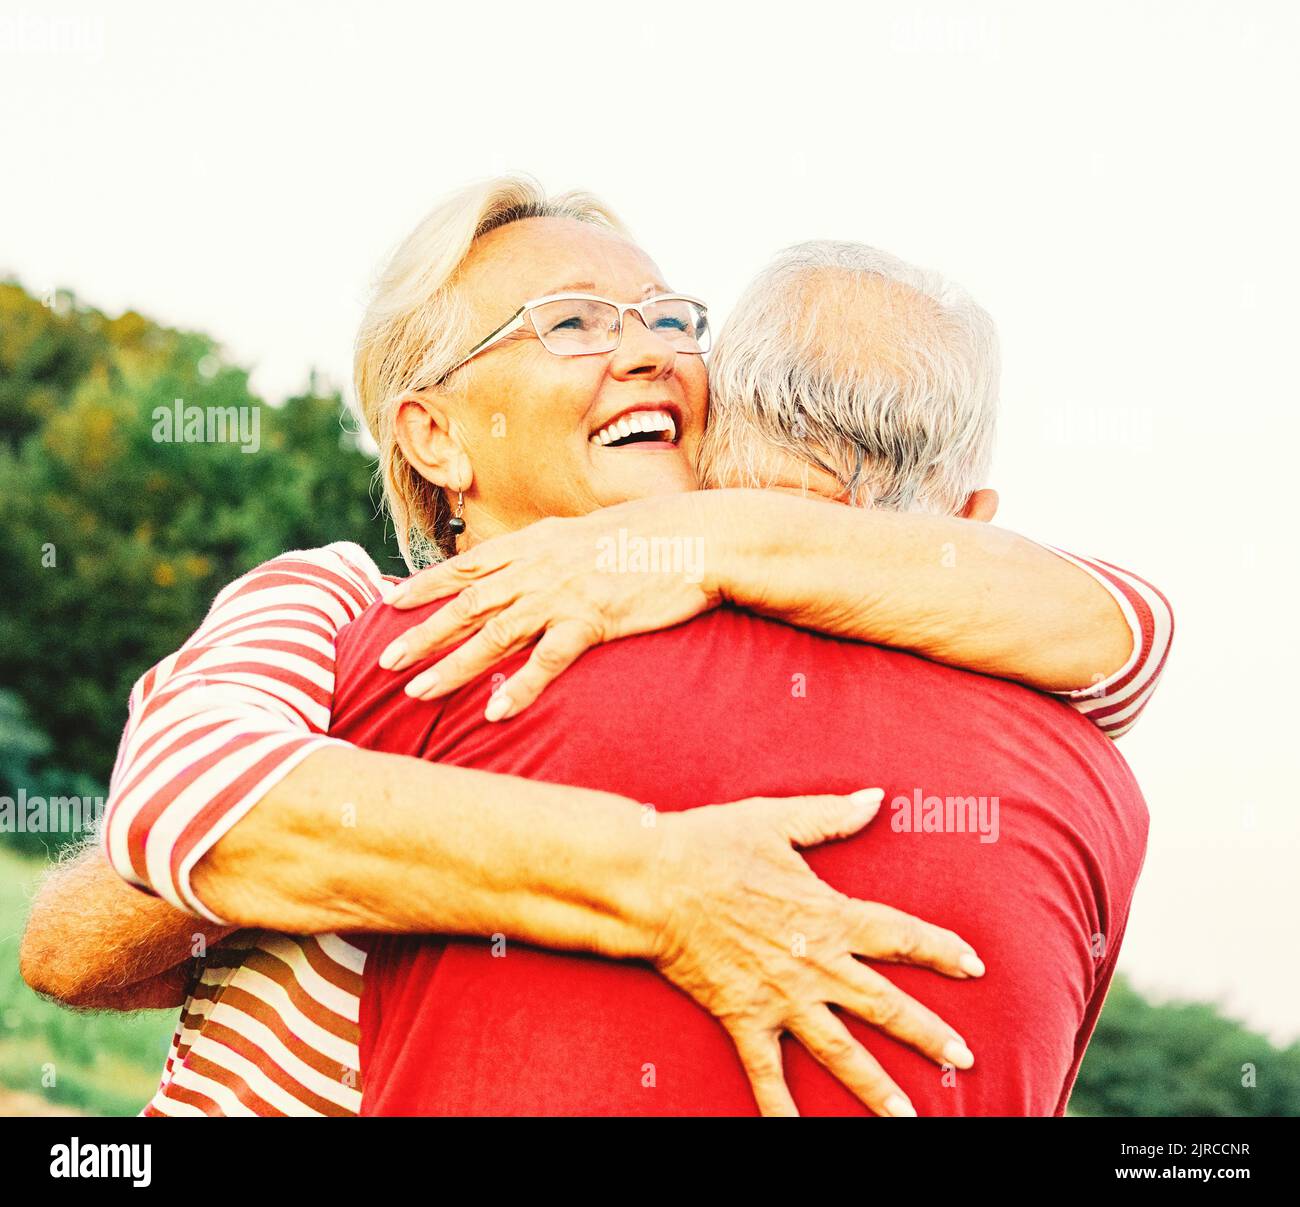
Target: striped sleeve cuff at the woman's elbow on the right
{"x": 1115, "y": 704}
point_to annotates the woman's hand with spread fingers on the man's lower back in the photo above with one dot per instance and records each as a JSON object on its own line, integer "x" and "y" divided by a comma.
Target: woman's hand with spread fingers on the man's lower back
{"x": 765, "y": 946}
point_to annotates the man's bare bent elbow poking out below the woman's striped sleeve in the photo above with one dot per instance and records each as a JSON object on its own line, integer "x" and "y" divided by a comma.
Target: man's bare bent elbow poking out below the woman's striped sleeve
{"x": 97, "y": 944}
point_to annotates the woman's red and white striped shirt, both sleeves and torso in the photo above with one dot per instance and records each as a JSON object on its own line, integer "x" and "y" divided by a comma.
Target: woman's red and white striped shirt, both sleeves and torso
{"x": 271, "y": 1020}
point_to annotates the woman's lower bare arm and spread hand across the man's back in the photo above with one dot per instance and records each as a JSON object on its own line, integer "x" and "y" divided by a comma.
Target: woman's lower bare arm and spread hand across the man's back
{"x": 385, "y": 843}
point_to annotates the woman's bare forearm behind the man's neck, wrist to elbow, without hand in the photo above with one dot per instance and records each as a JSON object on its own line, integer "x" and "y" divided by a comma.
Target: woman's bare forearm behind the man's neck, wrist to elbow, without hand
{"x": 952, "y": 590}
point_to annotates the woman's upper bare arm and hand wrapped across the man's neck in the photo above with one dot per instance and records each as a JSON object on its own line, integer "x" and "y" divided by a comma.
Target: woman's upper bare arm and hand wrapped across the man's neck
{"x": 952, "y": 590}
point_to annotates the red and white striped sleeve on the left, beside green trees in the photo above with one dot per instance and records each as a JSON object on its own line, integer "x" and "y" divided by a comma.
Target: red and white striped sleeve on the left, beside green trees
{"x": 216, "y": 725}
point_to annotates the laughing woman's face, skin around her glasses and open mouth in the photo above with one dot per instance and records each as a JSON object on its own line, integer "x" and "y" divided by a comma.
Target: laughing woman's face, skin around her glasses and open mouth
{"x": 527, "y": 418}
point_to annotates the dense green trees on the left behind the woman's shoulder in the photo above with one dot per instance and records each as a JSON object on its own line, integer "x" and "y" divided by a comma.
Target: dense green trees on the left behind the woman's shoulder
{"x": 112, "y": 542}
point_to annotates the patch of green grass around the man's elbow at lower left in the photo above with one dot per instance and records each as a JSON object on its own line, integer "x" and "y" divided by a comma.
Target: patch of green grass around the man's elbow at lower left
{"x": 98, "y": 1063}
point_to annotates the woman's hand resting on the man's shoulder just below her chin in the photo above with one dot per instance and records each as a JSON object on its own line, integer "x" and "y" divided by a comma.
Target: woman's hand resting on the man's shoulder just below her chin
{"x": 577, "y": 583}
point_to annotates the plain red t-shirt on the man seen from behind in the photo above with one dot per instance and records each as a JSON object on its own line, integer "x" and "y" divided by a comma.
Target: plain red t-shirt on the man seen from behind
{"x": 731, "y": 707}
